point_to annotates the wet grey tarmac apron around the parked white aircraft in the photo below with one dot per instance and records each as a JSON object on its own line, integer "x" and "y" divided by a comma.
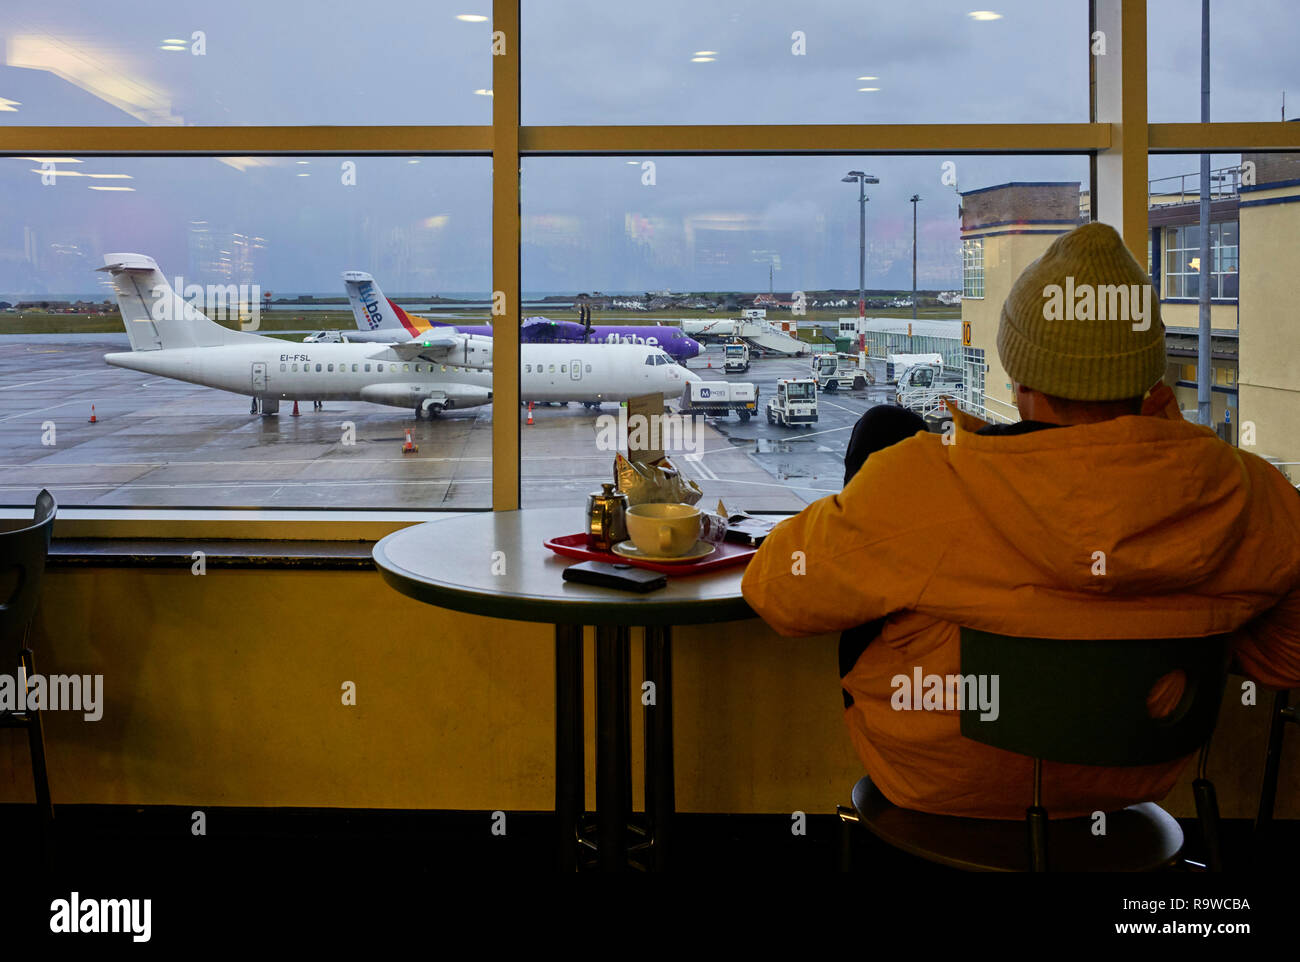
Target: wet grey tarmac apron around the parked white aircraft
{"x": 167, "y": 444}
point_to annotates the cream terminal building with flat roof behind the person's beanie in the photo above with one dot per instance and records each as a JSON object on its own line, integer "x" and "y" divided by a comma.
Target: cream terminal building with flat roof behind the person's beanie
{"x": 1255, "y": 227}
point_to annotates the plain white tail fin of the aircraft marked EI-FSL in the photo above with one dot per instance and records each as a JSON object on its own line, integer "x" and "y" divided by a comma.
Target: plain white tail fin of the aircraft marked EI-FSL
{"x": 155, "y": 317}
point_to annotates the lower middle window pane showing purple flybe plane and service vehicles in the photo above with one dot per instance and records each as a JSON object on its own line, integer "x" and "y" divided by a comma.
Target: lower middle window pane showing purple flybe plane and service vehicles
{"x": 766, "y": 249}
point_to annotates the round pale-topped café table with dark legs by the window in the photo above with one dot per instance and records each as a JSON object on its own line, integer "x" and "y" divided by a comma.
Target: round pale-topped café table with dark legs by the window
{"x": 495, "y": 565}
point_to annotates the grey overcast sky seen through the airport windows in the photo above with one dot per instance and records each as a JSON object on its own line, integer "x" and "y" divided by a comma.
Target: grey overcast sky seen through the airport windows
{"x": 596, "y": 223}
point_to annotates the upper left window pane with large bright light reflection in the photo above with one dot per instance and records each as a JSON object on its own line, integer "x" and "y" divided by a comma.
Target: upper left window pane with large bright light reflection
{"x": 170, "y": 63}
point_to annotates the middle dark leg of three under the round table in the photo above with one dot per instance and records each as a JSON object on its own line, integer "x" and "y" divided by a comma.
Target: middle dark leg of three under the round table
{"x": 613, "y": 764}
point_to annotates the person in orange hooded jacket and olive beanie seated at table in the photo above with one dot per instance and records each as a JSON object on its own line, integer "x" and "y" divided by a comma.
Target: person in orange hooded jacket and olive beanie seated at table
{"x": 1102, "y": 514}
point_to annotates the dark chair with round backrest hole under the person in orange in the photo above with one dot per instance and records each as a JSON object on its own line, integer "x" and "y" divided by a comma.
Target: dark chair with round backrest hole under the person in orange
{"x": 1080, "y": 703}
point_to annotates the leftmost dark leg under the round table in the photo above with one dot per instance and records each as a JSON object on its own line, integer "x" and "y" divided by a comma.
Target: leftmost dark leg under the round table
{"x": 570, "y": 775}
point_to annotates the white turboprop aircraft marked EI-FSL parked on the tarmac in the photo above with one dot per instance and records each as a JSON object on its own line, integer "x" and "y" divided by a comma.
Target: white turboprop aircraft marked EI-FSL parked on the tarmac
{"x": 449, "y": 370}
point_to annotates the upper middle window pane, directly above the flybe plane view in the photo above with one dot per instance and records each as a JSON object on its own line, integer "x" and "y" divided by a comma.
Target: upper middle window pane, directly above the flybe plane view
{"x": 682, "y": 62}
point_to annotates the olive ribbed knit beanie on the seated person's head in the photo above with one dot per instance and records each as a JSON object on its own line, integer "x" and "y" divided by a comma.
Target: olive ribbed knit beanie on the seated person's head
{"x": 1084, "y": 322}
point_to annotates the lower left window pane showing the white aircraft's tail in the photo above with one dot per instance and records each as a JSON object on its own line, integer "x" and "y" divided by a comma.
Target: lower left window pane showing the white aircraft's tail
{"x": 258, "y": 246}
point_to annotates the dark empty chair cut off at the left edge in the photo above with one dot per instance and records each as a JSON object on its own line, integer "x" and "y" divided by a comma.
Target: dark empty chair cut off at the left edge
{"x": 23, "y": 566}
